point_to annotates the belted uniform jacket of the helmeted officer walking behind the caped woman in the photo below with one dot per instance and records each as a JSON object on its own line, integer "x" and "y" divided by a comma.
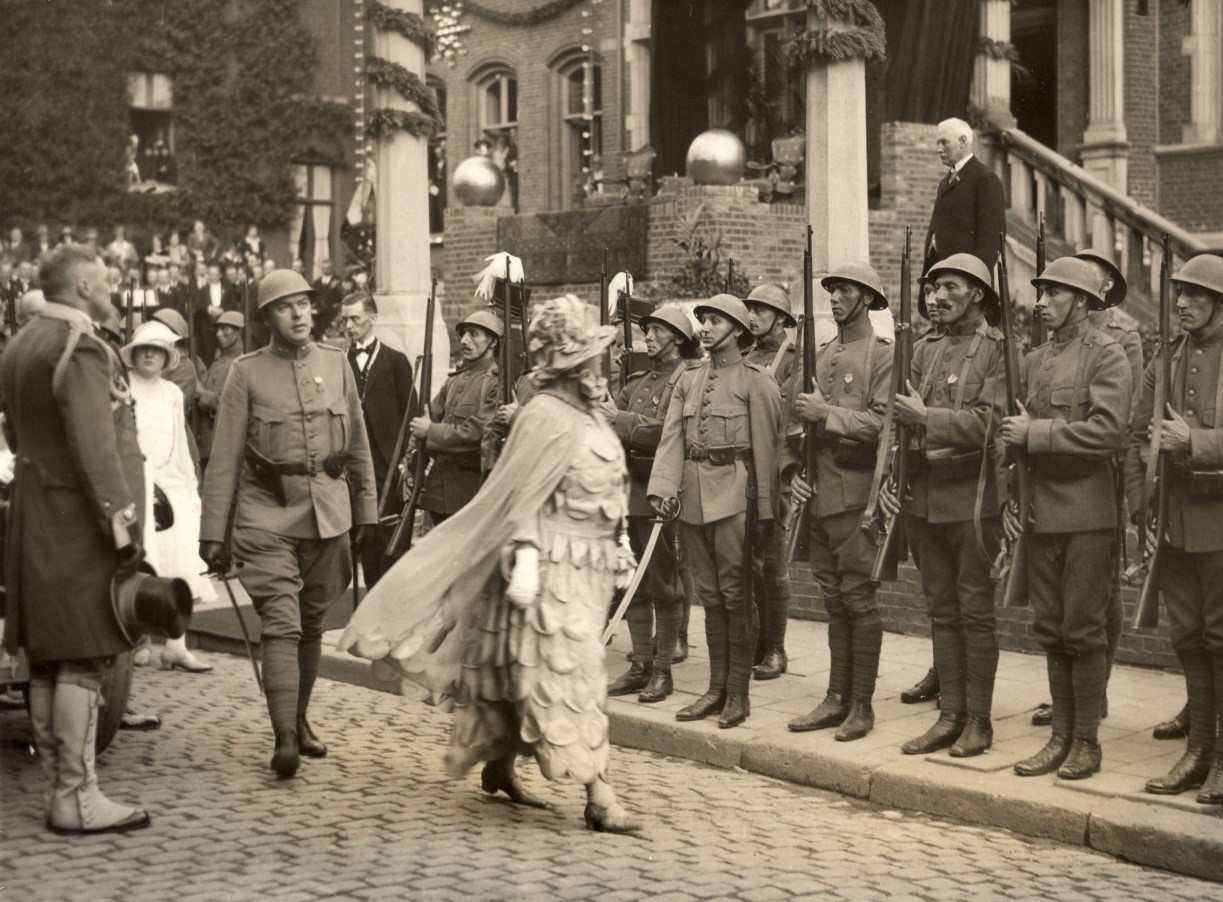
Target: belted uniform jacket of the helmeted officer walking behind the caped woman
{"x": 294, "y": 405}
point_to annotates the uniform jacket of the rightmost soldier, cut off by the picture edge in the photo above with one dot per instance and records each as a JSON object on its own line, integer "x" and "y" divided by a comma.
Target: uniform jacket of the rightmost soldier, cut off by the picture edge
{"x": 1195, "y": 519}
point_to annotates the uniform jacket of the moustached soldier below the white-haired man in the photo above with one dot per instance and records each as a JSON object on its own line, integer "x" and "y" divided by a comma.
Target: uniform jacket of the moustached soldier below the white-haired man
{"x": 958, "y": 373}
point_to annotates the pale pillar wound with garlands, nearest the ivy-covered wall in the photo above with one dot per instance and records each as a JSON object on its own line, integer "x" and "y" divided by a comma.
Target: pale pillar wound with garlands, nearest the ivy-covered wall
{"x": 403, "y": 216}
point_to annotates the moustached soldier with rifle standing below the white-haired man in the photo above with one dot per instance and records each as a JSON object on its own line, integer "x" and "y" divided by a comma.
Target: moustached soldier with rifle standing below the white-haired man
{"x": 955, "y": 406}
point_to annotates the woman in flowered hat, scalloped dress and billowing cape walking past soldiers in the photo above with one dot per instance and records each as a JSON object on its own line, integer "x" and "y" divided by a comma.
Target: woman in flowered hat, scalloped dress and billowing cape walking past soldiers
{"x": 500, "y": 610}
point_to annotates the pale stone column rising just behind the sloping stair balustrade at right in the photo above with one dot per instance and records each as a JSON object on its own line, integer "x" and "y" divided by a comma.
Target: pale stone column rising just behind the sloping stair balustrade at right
{"x": 1105, "y": 147}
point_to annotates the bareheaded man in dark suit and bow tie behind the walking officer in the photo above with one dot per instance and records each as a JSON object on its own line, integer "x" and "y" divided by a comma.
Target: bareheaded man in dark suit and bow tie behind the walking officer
{"x": 385, "y": 383}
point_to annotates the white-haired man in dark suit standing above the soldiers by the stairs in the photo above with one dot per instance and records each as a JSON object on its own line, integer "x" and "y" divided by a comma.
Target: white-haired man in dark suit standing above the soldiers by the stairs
{"x": 970, "y": 208}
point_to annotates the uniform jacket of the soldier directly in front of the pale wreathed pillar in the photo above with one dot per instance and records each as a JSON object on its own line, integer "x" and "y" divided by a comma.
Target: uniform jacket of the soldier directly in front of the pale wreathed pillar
{"x": 854, "y": 375}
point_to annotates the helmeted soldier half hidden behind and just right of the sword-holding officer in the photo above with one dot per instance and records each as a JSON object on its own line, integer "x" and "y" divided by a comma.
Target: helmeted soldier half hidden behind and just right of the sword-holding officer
{"x": 769, "y": 312}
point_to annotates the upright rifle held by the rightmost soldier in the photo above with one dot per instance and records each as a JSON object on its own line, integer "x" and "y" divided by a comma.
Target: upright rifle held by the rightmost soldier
{"x": 1156, "y": 489}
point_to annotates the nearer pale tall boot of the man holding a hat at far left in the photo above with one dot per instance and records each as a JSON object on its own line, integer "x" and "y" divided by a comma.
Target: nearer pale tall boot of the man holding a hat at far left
{"x": 79, "y": 806}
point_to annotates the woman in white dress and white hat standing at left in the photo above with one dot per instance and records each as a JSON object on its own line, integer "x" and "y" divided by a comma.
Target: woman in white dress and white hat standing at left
{"x": 162, "y": 433}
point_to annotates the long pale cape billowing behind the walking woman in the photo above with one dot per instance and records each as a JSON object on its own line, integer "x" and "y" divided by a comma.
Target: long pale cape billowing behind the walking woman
{"x": 409, "y": 620}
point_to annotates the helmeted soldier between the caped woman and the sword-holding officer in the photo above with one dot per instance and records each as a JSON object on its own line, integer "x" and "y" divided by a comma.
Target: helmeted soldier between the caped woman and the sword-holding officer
{"x": 641, "y": 408}
